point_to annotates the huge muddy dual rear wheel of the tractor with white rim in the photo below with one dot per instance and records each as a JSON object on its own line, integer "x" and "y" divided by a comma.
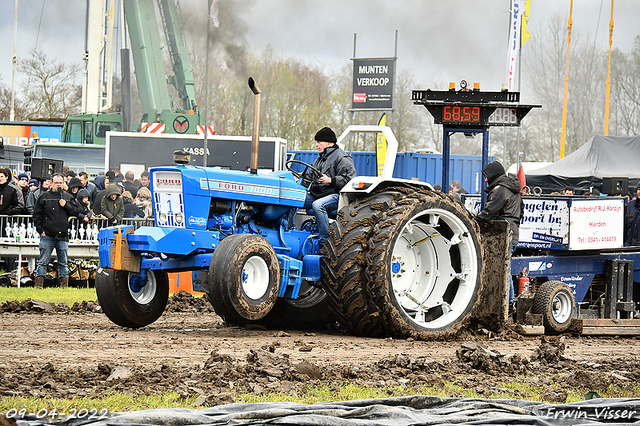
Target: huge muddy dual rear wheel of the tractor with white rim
{"x": 403, "y": 262}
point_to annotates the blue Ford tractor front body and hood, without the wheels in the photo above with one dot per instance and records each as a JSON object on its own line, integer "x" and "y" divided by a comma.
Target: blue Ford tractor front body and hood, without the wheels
{"x": 196, "y": 208}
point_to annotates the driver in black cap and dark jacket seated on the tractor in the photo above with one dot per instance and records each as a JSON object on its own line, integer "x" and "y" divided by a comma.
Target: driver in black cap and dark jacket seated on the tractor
{"x": 337, "y": 168}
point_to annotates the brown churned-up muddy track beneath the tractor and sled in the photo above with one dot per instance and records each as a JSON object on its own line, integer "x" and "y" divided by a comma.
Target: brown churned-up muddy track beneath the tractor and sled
{"x": 57, "y": 351}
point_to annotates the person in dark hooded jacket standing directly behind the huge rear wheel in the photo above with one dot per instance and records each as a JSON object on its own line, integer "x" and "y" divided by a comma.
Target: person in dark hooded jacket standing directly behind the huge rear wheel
{"x": 503, "y": 203}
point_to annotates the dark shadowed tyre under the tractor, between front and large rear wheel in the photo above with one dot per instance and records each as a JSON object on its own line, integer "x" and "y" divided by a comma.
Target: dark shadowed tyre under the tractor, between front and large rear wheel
{"x": 310, "y": 311}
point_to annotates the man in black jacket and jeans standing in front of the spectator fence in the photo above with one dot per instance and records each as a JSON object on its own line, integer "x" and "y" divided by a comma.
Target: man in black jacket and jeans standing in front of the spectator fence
{"x": 51, "y": 219}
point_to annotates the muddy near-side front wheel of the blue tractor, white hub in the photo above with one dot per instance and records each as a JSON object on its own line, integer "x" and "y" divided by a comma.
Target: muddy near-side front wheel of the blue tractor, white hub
{"x": 244, "y": 277}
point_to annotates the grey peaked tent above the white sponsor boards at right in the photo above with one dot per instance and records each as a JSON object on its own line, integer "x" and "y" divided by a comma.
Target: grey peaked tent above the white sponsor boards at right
{"x": 601, "y": 156}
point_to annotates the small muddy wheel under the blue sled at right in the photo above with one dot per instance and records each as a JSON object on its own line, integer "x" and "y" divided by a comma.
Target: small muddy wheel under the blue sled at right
{"x": 557, "y": 304}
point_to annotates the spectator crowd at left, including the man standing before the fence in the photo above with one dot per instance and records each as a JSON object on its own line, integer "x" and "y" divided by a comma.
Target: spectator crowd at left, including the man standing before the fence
{"x": 54, "y": 200}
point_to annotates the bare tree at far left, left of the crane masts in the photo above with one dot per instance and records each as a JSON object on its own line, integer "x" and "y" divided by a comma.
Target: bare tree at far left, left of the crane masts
{"x": 51, "y": 89}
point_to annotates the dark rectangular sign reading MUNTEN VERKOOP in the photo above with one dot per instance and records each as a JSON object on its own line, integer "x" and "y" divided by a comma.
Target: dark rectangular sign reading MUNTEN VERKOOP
{"x": 373, "y": 83}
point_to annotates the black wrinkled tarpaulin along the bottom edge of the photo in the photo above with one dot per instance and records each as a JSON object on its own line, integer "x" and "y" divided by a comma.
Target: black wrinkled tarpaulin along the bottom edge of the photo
{"x": 412, "y": 410}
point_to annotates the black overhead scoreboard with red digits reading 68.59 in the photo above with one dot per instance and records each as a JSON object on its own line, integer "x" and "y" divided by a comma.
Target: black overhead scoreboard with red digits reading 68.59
{"x": 473, "y": 108}
